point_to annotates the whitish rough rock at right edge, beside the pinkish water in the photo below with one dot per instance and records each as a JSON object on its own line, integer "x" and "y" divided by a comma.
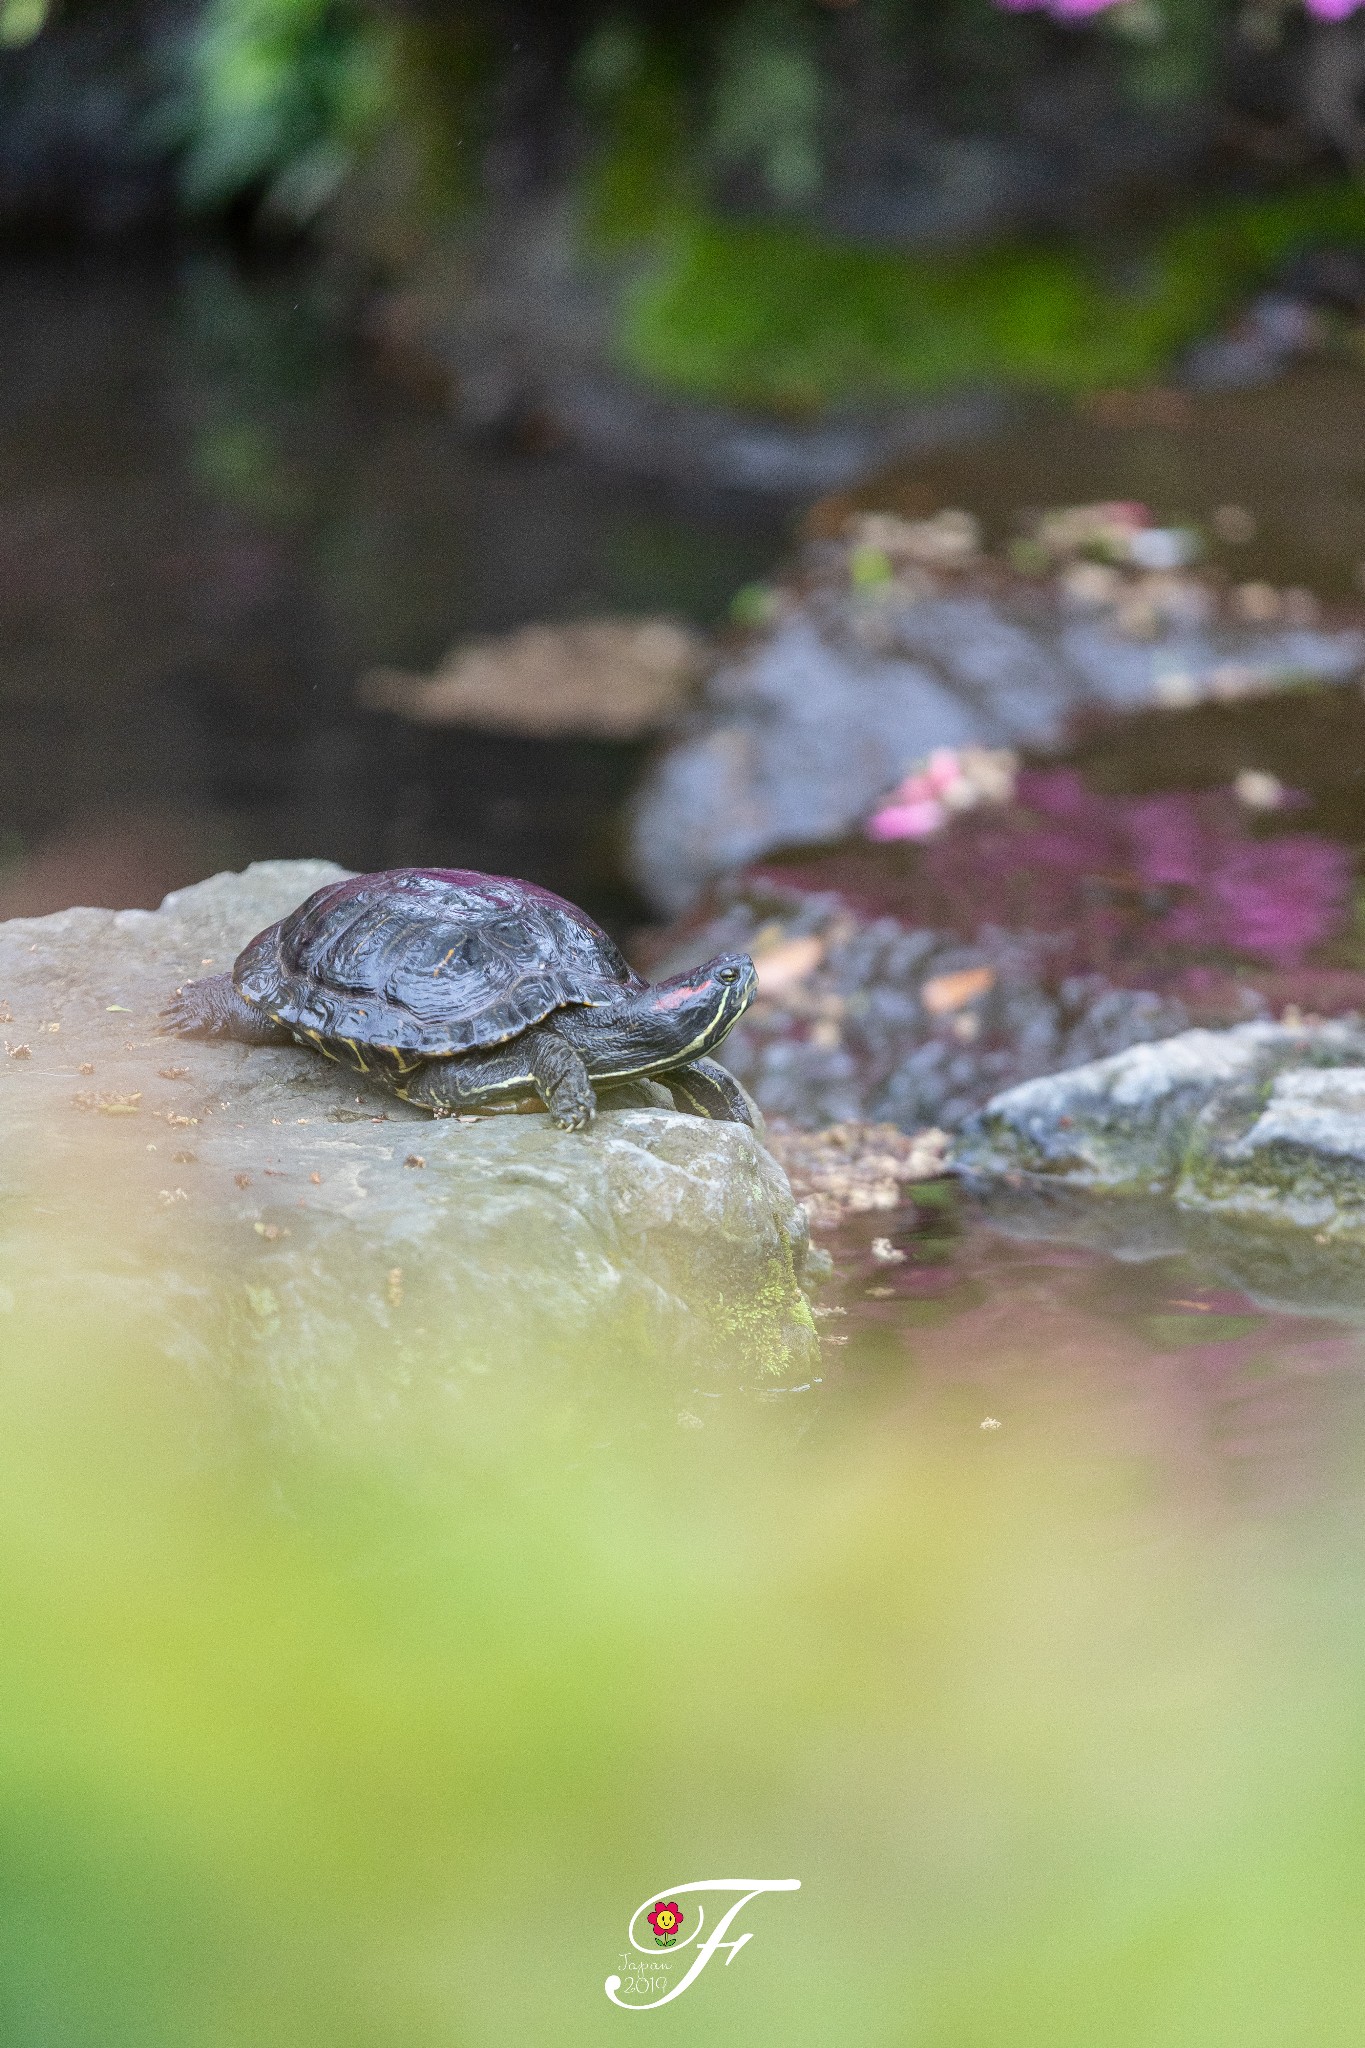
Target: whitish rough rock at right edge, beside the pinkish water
{"x": 1262, "y": 1123}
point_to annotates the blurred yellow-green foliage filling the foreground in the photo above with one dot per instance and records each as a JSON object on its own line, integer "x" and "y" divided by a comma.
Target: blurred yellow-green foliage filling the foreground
{"x": 335, "y": 1744}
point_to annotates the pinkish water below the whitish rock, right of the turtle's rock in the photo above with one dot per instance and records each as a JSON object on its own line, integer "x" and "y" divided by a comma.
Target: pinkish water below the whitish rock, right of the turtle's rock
{"x": 951, "y": 1326}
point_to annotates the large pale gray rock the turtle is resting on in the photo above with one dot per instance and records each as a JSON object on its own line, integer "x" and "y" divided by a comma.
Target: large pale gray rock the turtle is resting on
{"x": 271, "y": 1215}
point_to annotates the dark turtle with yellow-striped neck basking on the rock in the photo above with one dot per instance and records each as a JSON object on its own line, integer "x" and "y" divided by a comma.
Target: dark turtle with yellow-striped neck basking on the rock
{"x": 466, "y": 992}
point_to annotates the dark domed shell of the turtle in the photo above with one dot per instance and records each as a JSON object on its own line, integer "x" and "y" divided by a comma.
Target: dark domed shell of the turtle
{"x": 429, "y": 962}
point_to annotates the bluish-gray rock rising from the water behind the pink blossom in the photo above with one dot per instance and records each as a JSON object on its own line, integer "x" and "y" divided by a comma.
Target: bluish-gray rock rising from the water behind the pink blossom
{"x": 820, "y": 718}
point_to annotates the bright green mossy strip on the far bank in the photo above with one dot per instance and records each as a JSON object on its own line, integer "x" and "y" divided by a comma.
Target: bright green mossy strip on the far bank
{"x": 773, "y": 314}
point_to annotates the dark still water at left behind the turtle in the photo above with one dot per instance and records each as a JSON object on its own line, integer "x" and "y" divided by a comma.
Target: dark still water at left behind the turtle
{"x": 214, "y": 519}
